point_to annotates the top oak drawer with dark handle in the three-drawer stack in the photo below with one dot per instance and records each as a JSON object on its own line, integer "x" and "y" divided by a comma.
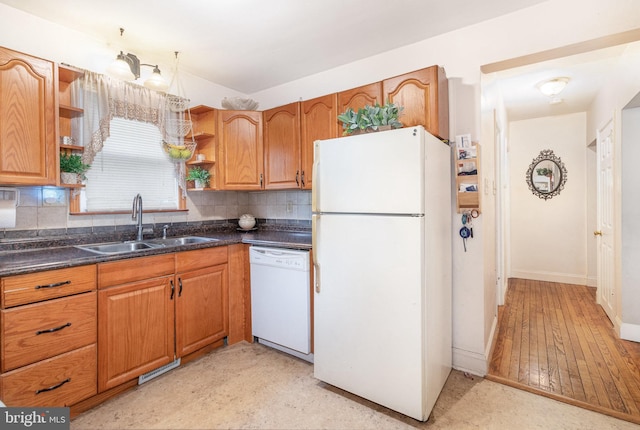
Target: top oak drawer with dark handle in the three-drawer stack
{"x": 36, "y": 287}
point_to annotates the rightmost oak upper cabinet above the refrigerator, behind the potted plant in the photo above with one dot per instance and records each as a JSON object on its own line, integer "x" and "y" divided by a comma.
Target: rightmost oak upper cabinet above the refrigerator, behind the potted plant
{"x": 424, "y": 95}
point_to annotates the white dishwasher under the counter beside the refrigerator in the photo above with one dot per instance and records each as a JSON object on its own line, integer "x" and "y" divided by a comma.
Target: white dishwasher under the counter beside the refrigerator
{"x": 280, "y": 299}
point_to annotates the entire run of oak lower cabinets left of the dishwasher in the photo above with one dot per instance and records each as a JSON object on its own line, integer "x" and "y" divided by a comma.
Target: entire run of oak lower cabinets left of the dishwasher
{"x": 150, "y": 310}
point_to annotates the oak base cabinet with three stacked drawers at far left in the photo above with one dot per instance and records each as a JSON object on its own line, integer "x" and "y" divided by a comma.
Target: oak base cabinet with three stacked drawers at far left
{"x": 48, "y": 337}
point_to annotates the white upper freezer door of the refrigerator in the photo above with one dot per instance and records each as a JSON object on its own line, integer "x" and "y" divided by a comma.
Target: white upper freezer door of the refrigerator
{"x": 371, "y": 173}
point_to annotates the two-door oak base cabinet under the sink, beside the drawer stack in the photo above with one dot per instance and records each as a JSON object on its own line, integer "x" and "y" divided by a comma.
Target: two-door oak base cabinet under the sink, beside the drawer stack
{"x": 146, "y": 323}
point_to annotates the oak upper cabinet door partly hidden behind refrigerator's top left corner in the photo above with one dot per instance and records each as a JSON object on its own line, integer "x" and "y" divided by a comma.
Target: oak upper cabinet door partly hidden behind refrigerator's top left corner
{"x": 318, "y": 121}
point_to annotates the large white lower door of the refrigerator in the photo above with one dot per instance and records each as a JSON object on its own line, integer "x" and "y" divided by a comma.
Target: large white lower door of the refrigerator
{"x": 369, "y": 319}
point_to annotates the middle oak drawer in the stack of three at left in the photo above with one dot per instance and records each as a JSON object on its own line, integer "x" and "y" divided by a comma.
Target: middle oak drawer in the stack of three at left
{"x": 34, "y": 332}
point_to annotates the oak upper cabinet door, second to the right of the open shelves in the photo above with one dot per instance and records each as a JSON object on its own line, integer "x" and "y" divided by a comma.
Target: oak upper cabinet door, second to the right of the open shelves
{"x": 282, "y": 147}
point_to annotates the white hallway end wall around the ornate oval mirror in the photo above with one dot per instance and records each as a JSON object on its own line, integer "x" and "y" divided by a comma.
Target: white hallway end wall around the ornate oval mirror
{"x": 548, "y": 237}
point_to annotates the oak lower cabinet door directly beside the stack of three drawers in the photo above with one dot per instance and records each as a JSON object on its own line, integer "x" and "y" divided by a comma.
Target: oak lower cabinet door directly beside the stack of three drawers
{"x": 135, "y": 330}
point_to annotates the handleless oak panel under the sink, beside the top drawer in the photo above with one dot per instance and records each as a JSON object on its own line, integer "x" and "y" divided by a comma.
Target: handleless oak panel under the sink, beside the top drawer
{"x": 135, "y": 269}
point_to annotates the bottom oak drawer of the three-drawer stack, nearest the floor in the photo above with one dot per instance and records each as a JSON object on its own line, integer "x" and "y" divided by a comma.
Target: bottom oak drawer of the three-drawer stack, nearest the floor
{"x": 43, "y": 383}
